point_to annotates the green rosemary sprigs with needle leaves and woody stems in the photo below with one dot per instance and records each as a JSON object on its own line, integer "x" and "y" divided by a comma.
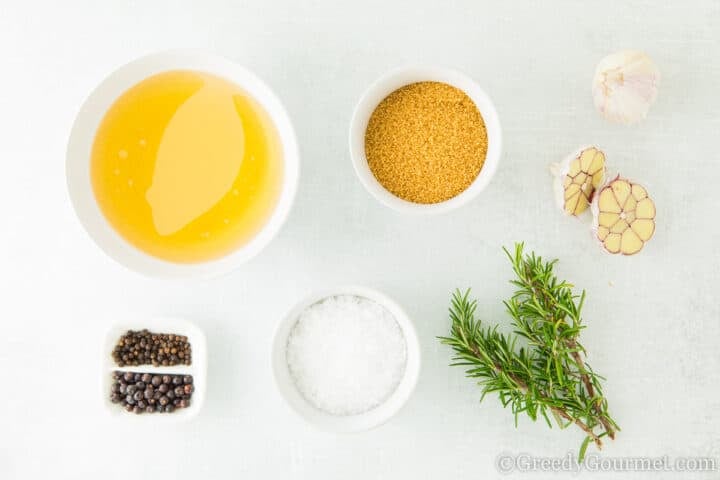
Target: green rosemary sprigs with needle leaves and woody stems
{"x": 538, "y": 369}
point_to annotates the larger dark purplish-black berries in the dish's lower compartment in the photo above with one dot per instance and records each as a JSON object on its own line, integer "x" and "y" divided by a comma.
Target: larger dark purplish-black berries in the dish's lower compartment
{"x": 148, "y": 393}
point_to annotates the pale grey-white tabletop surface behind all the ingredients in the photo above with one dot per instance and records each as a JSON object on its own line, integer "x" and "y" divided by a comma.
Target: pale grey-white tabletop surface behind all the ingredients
{"x": 652, "y": 321}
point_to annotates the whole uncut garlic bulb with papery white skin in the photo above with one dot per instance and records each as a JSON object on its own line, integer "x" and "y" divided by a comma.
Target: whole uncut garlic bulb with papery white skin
{"x": 625, "y": 85}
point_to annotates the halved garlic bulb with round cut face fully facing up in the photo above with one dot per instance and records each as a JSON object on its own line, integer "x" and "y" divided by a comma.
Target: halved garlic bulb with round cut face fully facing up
{"x": 624, "y": 216}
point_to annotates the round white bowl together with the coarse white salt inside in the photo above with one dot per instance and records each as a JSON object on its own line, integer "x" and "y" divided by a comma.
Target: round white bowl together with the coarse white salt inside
{"x": 346, "y": 359}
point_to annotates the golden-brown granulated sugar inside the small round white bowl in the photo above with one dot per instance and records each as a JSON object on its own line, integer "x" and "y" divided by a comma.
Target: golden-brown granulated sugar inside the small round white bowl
{"x": 426, "y": 142}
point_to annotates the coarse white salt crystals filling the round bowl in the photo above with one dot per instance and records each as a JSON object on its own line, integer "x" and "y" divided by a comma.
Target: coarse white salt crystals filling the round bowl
{"x": 346, "y": 354}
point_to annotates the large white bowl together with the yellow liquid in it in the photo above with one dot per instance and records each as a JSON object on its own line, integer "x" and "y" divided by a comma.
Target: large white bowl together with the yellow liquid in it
{"x": 182, "y": 164}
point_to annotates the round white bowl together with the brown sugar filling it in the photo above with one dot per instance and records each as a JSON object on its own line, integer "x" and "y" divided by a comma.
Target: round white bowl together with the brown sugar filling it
{"x": 425, "y": 139}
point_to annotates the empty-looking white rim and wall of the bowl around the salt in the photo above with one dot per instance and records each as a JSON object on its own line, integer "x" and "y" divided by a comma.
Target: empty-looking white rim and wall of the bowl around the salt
{"x": 346, "y": 423}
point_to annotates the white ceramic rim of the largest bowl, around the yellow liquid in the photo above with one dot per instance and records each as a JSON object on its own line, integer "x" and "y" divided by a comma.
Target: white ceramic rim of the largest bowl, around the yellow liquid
{"x": 83, "y": 134}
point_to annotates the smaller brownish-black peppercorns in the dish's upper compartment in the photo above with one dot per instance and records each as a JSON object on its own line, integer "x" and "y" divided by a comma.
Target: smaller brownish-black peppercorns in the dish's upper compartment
{"x": 142, "y": 347}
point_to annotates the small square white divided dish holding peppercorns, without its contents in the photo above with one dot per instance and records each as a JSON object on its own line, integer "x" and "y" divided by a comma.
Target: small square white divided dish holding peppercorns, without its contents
{"x": 198, "y": 367}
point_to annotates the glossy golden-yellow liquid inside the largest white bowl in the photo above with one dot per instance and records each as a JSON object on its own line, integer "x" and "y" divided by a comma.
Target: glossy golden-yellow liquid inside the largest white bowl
{"x": 186, "y": 166}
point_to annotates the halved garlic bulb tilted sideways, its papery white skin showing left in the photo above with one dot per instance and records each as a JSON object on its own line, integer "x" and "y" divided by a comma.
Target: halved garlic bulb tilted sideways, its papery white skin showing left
{"x": 576, "y": 179}
